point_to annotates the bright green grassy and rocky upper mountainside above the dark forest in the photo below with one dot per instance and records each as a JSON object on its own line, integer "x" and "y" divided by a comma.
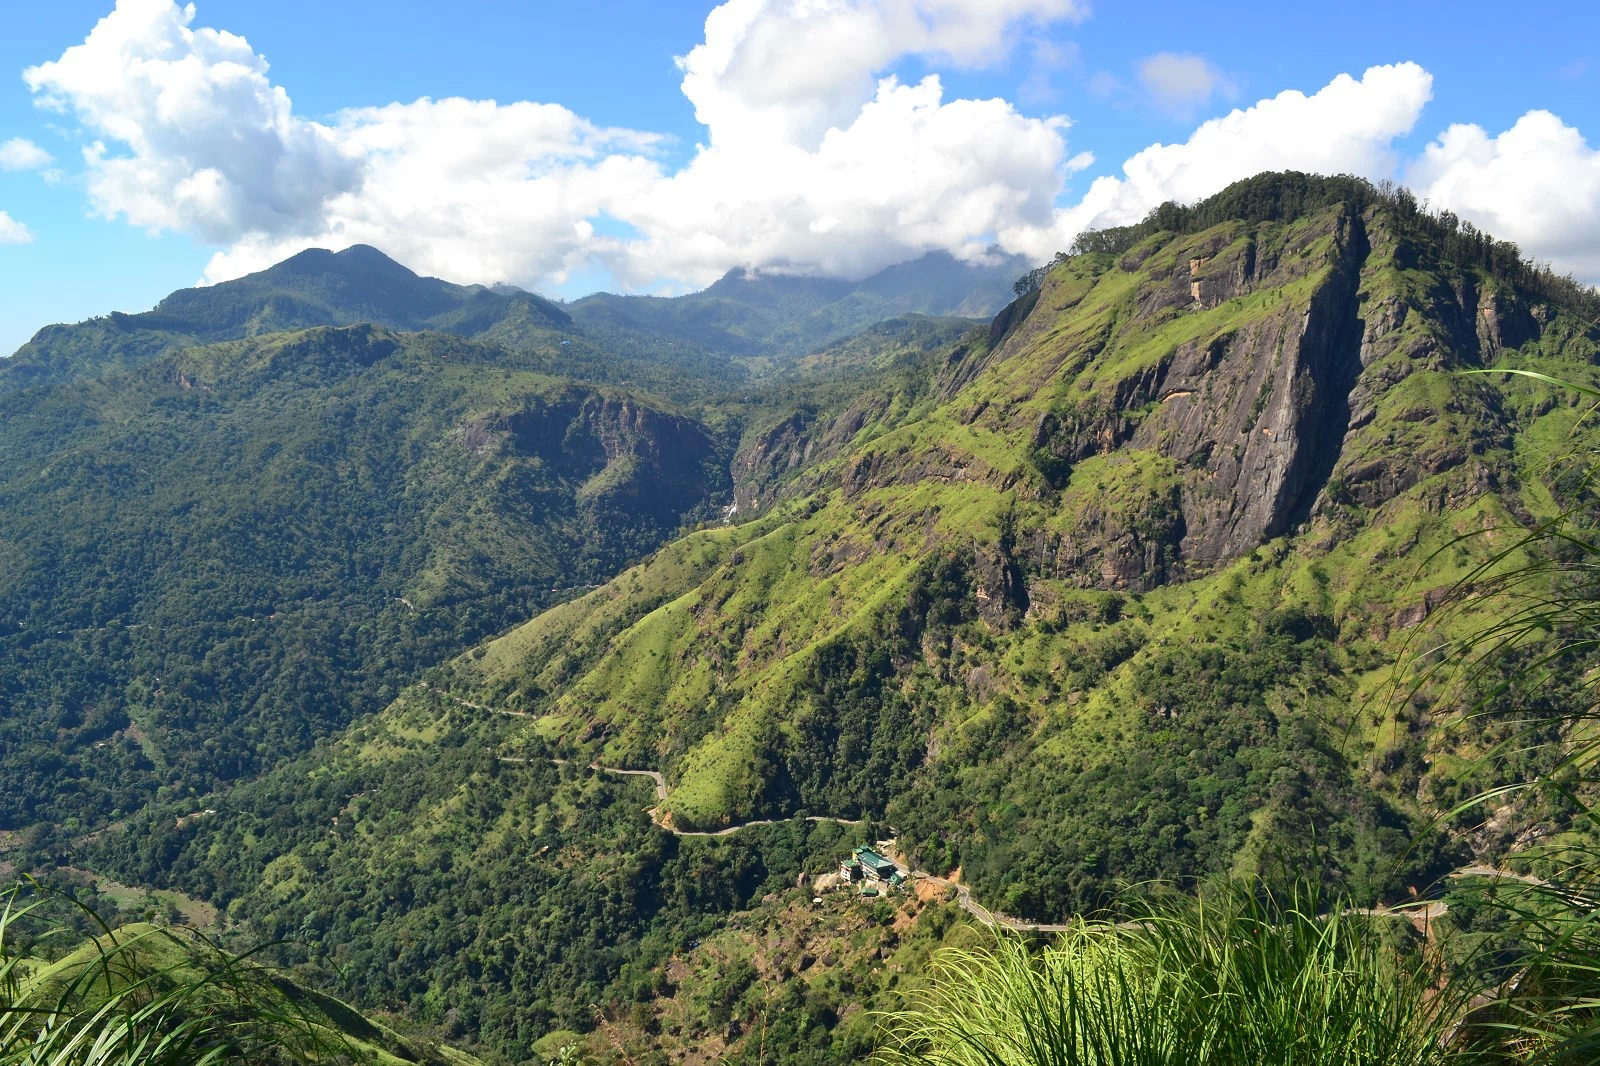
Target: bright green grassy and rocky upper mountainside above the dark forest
{"x": 1271, "y": 403}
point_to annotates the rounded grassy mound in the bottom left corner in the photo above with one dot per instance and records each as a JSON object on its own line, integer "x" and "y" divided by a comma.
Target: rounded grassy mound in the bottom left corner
{"x": 145, "y": 998}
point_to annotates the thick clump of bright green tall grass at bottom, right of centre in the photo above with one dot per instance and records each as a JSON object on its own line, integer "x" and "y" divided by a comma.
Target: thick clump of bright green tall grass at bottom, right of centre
{"x": 1233, "y": 979}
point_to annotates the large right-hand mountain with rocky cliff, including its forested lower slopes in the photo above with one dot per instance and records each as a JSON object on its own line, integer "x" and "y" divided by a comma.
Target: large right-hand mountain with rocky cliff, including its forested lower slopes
{"x": 1103, "y": 593}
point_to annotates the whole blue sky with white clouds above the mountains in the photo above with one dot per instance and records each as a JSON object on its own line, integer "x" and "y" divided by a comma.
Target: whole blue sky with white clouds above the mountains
{"x": 618, "y": 194}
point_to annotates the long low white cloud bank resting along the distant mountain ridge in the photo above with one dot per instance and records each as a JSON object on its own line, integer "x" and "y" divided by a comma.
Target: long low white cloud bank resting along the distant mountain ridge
{"x": 481, "y": 191}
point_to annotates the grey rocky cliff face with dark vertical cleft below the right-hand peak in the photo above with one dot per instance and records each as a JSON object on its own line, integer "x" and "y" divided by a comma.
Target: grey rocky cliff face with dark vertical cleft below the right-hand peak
{"x": 1265, "y": 412}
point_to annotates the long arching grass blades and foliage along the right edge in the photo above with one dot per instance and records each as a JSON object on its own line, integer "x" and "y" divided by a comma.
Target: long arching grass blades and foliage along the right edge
{"x": 1548, "y": 628}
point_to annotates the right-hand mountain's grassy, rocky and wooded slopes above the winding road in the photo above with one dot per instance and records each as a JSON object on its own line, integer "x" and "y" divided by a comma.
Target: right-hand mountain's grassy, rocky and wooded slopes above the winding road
{"x": 1114, "y": 607}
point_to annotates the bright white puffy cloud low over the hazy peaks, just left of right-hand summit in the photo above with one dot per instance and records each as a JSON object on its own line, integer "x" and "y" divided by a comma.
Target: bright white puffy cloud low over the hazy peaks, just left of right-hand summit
{"x": 911, "y": 174}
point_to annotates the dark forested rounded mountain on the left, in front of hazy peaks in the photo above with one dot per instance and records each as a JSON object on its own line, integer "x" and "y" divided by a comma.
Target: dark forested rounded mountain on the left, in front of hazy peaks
{"x": 222, "y": 555}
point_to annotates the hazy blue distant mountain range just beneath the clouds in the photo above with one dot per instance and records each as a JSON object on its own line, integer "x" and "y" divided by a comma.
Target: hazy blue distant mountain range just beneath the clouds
{"x": 682, "y": 348}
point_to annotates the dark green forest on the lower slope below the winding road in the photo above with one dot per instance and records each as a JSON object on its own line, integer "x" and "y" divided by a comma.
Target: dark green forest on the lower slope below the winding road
{"x": 529, "y": 894}
